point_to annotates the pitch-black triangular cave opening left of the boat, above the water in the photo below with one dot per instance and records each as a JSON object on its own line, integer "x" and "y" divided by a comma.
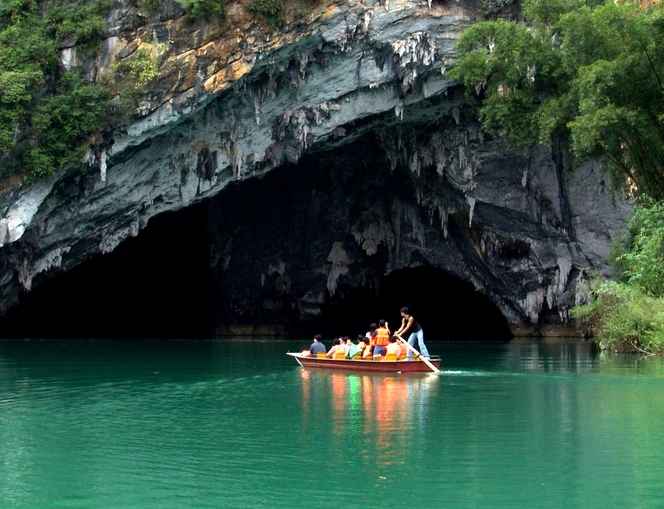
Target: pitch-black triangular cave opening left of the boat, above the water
{"x": 156, "y": 285}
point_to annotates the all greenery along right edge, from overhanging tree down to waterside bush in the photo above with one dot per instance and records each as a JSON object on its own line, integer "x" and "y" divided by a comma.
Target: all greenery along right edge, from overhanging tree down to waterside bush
{"x": 587, "y": 78}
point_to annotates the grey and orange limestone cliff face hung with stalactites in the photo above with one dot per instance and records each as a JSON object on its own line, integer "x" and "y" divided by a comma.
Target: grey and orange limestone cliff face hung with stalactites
{"x": 404, "y": 176}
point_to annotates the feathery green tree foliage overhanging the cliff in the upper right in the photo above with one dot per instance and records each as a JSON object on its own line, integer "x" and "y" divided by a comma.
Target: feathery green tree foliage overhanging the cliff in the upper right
{"x": 587, "y": 73}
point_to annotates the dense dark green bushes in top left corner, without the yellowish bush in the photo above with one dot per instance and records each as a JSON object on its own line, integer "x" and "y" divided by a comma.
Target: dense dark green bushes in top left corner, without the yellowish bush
{"x": 47, "y": 114}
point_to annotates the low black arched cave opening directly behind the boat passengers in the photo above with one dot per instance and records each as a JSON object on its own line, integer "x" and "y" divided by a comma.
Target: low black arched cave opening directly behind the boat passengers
{"x": 448, "y": 308}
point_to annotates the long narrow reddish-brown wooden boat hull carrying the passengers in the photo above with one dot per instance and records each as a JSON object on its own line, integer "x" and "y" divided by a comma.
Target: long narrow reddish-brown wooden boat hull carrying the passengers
{"x": 370, "y": 366}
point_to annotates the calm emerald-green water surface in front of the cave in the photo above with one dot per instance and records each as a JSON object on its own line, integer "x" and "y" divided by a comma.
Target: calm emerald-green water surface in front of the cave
{"x": 198, "y": 424}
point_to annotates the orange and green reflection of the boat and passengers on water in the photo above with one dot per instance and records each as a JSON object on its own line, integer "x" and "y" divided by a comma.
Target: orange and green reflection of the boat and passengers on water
{"x": 380, "y": 413}
